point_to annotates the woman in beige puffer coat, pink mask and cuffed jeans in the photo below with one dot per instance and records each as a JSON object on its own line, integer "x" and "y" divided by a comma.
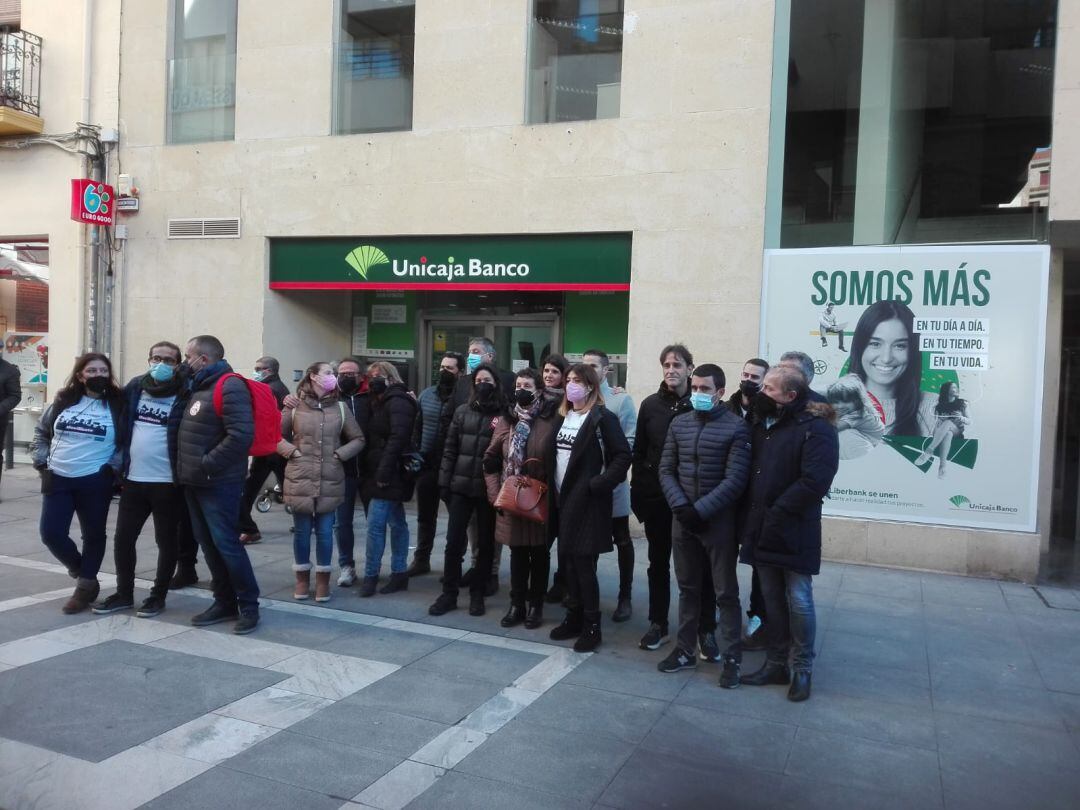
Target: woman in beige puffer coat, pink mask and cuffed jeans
{"x": 318, "y": 437}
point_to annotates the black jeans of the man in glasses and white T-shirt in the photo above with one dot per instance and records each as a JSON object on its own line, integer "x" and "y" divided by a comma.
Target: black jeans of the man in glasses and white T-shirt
{"x": 138, "y": 503}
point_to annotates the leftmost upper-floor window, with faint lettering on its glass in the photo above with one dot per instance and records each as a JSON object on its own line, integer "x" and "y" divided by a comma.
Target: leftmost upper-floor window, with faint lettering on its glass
{"x": 202, "y": 72}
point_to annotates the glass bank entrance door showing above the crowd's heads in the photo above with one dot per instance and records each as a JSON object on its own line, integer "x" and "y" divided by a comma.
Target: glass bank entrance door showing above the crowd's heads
{"x": 520, "y": 341}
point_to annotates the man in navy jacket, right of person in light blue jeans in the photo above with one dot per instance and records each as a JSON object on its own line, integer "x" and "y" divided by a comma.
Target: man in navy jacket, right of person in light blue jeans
{"x": 433, "y": 423}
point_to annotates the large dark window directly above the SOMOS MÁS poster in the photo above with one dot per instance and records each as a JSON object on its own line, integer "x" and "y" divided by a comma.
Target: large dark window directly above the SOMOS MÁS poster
{"x": 910, "y": 121}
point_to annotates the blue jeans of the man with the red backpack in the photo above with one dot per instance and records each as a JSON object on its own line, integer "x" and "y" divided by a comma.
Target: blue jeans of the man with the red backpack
{"x": 215, "y": 522}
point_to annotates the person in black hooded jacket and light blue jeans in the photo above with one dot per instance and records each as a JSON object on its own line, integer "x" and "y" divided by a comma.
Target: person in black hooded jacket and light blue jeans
{"x": 386, "y": 484}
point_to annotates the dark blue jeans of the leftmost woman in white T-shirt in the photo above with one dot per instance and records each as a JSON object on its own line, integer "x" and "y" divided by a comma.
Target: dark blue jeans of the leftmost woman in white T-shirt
{"x": 89, "y": 497}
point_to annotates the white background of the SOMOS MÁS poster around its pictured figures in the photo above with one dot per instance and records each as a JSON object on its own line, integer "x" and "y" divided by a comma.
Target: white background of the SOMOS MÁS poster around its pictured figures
{"x": 1007, "y": 340}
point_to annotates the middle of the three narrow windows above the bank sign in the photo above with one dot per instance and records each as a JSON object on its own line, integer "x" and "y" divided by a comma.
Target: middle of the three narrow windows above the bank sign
{"x": 374, "y": 66}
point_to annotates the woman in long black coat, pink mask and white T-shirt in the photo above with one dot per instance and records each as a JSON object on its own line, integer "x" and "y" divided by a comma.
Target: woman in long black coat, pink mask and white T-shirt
{"x": 589, "y": 460}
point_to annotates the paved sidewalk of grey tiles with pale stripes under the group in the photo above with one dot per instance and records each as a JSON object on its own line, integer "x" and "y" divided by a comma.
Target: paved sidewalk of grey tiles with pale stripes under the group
{"x": 930, "y": 692}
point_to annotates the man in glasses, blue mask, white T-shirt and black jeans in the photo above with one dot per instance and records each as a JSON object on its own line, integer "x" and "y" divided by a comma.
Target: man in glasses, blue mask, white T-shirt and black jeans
{"x": 155, "y": 406}
